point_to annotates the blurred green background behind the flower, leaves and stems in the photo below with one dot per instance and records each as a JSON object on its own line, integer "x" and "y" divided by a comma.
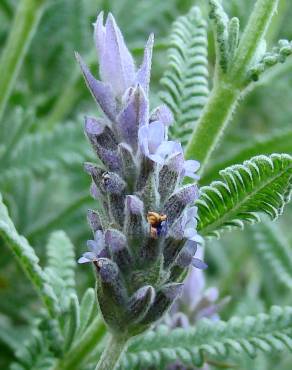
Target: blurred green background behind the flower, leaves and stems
{"x": 42, "y": 148}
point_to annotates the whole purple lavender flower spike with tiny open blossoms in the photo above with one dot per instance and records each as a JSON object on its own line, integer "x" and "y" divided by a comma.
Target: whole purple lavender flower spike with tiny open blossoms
{"x": 145, "y": 234}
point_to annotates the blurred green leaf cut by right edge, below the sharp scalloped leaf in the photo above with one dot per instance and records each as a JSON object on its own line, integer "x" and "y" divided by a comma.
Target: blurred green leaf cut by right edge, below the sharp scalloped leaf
{"x": 274, "y": 252}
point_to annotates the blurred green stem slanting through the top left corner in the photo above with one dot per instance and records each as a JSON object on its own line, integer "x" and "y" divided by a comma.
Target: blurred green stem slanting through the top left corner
{"x": 23, "y": 28}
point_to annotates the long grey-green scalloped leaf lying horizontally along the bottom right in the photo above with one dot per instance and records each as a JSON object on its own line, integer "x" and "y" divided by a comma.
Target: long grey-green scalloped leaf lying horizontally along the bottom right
{"x": 264, "y": 332}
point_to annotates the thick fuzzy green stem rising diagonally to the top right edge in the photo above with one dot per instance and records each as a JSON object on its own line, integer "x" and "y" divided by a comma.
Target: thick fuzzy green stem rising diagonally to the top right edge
{"x": 228, "y": 88}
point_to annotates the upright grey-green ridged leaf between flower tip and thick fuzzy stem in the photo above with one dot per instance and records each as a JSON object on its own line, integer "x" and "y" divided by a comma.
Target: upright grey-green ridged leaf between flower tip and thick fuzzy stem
{"x": 185, "y": 81}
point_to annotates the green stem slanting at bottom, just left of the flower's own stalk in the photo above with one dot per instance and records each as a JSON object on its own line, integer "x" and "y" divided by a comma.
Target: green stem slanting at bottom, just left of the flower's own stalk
{"x": 82, "y": 348}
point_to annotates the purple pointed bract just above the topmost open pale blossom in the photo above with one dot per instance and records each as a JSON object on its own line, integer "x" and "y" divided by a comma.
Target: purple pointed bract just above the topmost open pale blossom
{"x": 133, "y": 116}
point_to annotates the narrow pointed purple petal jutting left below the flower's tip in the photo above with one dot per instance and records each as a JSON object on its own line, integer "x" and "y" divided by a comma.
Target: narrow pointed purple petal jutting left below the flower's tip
{"x": 101, "y": 92}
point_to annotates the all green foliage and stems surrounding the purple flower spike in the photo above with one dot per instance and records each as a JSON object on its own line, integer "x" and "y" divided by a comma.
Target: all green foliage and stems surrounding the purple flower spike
{"x": 56, "y": 325}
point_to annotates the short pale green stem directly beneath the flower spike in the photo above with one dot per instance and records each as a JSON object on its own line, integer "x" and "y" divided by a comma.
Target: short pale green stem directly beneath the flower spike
{"x": 112, "y": 353}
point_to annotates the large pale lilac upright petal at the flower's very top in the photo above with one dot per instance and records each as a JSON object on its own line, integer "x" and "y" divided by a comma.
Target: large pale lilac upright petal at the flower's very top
{"x": 116, "y": 63}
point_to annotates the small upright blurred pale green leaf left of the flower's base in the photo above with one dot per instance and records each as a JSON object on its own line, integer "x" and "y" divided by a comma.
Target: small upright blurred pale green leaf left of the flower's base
{"x": 61, "y": 266}
